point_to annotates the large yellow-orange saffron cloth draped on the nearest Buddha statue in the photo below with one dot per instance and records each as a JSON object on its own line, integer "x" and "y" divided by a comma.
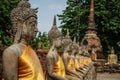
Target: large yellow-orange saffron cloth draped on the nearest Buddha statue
{"x": 29, "y": 67}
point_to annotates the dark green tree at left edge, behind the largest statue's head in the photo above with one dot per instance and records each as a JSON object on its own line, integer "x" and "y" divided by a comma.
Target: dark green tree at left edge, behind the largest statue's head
{"x": 5, "y": 24}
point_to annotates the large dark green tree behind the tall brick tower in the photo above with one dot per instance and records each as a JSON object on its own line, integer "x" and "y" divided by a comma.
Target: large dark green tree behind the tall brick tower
{"x": 107, "y": 18}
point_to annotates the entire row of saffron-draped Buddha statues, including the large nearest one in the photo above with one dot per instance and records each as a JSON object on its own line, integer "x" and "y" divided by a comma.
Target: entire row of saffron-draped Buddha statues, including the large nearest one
{"x": 20, "y": 61}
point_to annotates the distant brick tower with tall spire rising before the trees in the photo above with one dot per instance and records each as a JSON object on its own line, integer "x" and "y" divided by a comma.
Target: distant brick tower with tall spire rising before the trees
{"x": 91, "y": 32}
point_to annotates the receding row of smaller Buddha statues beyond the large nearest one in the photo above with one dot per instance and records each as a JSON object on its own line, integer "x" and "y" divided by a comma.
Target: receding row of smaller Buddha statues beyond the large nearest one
{"x": 74, "y": 63}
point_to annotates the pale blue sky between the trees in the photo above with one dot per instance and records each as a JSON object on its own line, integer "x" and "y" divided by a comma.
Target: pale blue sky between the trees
{"x": 46, "y": 11}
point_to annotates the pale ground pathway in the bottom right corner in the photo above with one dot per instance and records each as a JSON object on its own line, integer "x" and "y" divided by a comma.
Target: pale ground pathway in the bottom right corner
{"x": 107, "y": 76}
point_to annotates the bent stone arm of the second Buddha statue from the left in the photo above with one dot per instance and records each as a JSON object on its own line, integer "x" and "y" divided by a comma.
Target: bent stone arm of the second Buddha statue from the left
{"x": 50, "y": 65}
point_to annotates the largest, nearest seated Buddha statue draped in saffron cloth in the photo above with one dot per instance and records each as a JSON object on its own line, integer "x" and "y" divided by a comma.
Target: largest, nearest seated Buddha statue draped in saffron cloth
{"x": 20, "y": 61}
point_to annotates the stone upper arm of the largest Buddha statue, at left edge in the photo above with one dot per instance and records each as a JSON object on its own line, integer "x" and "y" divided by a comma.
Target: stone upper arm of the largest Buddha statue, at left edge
{"x": 10, "y": 65}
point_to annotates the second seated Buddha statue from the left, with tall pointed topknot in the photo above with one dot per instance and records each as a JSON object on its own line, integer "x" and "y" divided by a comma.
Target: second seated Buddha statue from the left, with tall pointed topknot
{"x": 54, "y": 62}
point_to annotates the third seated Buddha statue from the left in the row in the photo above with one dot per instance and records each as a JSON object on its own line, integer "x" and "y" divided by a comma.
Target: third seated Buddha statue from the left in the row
{"x": 68, "y": 62}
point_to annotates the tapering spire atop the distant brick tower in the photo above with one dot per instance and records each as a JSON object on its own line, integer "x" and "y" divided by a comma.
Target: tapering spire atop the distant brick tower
{"x": 91, "y": 24}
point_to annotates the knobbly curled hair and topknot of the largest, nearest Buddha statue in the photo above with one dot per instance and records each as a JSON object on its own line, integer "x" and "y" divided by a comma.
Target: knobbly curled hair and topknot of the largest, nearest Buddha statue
{"x": 22, "y": 12}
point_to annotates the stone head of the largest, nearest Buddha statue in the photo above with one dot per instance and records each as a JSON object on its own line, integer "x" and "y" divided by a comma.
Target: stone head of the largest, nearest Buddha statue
{"x": 24, "y": 21}
